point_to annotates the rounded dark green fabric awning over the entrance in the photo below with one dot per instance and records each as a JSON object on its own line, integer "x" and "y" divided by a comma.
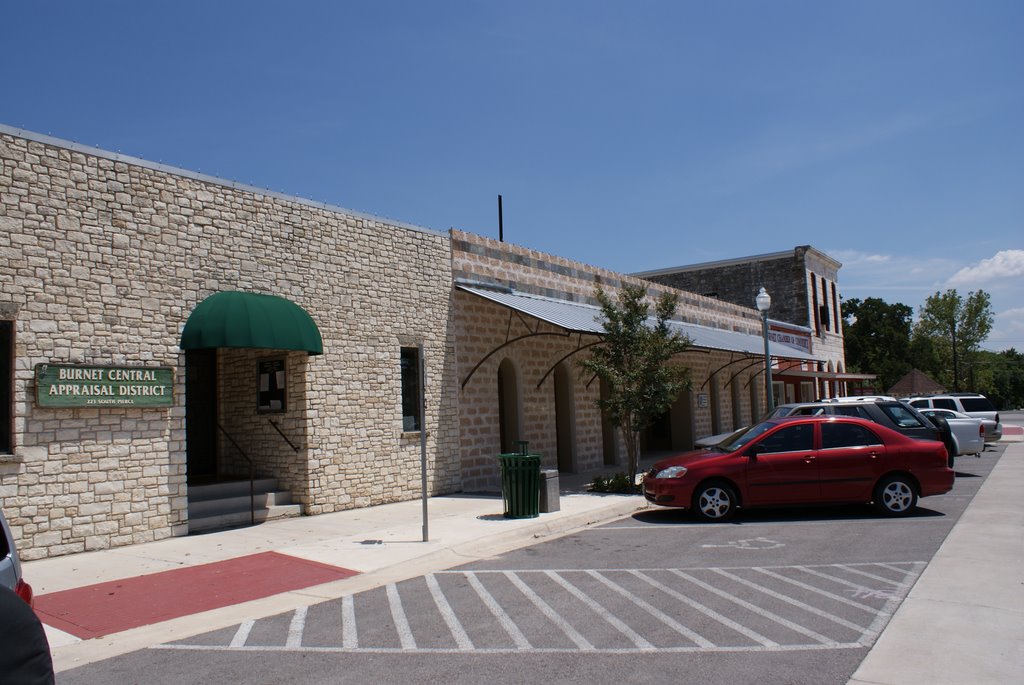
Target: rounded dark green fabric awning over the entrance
{"x": 252, "y": 321}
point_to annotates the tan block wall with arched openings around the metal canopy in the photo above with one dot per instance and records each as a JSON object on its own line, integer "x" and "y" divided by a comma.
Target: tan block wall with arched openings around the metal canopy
{"x": 483, "y": 327}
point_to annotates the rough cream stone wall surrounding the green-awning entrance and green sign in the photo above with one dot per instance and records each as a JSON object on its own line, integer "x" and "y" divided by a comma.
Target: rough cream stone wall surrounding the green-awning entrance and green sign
{"x": 103, "y": 259}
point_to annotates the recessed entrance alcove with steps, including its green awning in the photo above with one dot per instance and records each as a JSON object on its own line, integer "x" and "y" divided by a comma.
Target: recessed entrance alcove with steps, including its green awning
{"x": 246, "y": 410}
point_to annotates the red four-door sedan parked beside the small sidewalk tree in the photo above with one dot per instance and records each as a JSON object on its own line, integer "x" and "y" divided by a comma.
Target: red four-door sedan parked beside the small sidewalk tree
{"x": 803, "y": 460}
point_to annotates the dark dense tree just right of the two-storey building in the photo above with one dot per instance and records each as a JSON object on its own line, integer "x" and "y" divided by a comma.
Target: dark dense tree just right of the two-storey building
{"x": 878, "y": 339}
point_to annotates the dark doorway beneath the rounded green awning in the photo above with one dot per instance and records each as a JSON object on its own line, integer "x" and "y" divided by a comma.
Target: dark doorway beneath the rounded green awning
{"x": 201, "y": 414}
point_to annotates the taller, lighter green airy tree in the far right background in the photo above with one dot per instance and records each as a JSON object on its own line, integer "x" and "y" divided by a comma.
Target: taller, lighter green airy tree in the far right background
{"x": 957, "y": 326}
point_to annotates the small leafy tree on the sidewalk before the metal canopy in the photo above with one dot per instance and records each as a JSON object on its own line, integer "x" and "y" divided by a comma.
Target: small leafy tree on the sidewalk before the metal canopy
{"x": 633, "y": 361}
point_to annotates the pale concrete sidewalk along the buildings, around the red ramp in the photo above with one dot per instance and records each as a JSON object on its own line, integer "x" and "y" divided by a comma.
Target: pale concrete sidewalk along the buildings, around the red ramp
{"x": 385, "y": 544}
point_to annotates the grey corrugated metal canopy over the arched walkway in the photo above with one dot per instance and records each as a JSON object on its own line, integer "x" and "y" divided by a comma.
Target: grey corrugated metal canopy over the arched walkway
{"x": 580, "y": 318}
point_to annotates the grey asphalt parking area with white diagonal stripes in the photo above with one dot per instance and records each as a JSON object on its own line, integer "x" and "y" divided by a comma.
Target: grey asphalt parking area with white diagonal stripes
{"x": 778, "y": 596}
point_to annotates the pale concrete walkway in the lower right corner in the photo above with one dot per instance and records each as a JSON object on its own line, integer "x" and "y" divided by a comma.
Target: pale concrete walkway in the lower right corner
{"x": 964, "y": 620}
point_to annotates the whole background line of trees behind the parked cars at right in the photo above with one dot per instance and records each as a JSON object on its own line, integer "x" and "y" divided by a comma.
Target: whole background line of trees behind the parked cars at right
{"x": 946, "y": 344}
